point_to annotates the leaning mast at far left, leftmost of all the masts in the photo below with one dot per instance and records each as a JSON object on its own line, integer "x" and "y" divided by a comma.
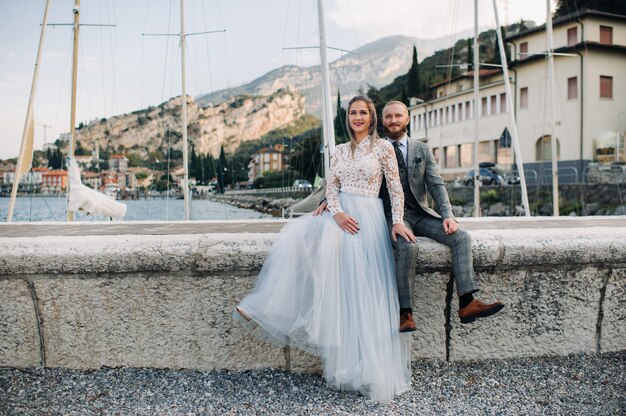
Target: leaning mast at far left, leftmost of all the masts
{"x": 26, "y": 147}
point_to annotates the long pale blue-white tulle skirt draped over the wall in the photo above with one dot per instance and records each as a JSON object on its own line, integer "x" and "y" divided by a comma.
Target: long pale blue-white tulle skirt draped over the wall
{"x": 335, "y": 294}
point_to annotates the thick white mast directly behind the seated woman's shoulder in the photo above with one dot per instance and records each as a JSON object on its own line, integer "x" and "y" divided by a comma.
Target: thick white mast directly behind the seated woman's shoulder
{"x": 328, "y": 133}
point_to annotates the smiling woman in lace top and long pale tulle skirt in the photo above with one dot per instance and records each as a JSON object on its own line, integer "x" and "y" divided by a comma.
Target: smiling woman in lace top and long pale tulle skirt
{"x": 328, "y": 283}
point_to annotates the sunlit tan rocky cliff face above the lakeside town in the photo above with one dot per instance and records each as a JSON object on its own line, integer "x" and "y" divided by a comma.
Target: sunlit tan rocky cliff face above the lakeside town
{"x": 231, "y": 122}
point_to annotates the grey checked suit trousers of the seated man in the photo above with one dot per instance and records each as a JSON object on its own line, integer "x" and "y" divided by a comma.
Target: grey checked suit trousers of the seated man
{"x": 406, "y": 254}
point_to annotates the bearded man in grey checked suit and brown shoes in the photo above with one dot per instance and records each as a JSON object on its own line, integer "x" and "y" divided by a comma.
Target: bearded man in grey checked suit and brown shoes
{"x": 419, "y": 173}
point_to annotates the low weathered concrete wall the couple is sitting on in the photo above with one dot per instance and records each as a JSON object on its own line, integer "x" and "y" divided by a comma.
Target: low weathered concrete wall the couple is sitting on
{"x": 154, "y": 300}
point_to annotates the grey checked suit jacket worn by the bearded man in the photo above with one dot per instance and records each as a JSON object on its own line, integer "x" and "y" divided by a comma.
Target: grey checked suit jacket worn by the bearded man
{"x": 424, "y": 176}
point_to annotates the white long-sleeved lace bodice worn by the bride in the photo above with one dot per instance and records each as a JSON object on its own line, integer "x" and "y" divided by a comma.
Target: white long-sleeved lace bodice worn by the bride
{"x": 363, "y": 175}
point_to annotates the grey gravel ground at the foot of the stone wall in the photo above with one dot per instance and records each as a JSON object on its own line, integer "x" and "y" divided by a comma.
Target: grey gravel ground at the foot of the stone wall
{"x": 573, "y": 385}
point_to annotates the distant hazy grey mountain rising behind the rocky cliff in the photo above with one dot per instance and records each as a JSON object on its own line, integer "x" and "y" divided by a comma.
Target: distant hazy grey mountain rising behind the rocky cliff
{"x": 376, "y": 63}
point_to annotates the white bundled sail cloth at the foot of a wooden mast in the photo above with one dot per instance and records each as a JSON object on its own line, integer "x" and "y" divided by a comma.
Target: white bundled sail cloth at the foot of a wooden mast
{"x": 84, "y": 198}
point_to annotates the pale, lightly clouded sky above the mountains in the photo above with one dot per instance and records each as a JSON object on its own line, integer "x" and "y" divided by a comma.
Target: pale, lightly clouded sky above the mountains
{"x": 126, "y": 68}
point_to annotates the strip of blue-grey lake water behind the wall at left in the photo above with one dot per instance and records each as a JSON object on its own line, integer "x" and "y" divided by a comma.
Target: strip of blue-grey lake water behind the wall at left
{"x": 52, "y": 208}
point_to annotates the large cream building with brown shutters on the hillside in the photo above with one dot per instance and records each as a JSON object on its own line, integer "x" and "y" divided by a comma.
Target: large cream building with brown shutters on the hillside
{"x": 590, "y": 102}
